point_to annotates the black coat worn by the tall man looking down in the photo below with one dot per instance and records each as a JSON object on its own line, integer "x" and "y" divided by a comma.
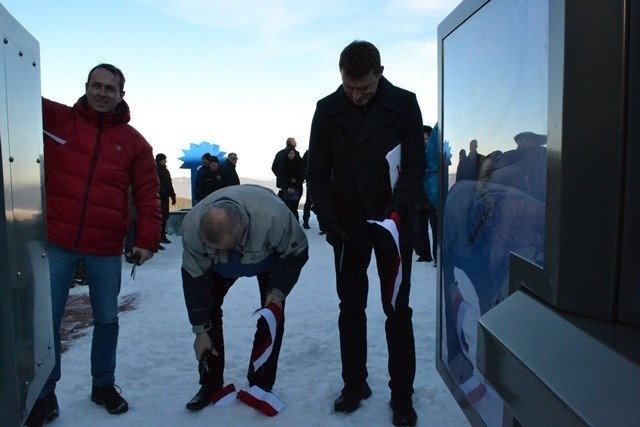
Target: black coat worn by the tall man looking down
{"x": 347, "y": 173}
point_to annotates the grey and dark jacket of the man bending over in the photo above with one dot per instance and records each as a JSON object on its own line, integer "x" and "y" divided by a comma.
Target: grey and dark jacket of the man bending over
{"x": 272, "y": 230}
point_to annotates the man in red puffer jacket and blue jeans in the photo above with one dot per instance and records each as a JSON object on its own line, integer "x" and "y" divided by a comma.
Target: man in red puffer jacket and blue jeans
{"x": 92, "y": 157}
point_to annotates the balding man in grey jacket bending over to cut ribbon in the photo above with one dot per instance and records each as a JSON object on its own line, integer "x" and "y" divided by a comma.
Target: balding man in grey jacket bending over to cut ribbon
{"x": 238, "y": 231}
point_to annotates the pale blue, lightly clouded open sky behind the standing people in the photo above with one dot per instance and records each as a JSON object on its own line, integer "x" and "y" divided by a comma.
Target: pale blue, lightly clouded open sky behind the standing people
{"x": 244, "y": 75}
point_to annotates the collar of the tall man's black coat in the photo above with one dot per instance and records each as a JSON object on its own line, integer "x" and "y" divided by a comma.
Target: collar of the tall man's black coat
{"x": 384, "y": 109}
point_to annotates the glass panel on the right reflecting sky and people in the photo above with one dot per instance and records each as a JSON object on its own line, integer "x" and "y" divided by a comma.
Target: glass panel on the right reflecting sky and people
{"x": 494, "y": 127}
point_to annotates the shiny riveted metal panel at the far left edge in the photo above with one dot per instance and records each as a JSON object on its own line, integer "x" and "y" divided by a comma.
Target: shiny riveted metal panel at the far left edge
{"x": 26, "y": 333}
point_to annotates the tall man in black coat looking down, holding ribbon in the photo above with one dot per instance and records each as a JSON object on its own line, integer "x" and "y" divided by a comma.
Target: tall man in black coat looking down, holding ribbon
{"x": 352, "y": 131}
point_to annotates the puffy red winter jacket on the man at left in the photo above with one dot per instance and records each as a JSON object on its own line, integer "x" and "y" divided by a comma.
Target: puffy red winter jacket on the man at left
{"x": 91, "y": 159}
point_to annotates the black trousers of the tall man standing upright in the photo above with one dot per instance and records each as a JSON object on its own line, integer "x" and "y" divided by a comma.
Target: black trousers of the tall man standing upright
{"x": 353, "y": 286}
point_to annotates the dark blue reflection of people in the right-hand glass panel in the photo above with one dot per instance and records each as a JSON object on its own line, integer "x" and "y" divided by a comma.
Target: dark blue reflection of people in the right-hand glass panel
{"x": 484, "y": 221}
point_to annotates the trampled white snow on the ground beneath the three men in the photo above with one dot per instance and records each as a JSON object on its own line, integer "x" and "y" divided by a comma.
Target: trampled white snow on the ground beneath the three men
{"x": 157, "y": 369}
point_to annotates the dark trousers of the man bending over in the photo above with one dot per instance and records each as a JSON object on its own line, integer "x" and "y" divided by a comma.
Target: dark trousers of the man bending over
{"x": 265, "y": 376}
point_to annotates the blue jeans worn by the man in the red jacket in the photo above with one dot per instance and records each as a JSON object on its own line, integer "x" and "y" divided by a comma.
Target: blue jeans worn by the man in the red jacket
{"x": 104, "y": 276}
